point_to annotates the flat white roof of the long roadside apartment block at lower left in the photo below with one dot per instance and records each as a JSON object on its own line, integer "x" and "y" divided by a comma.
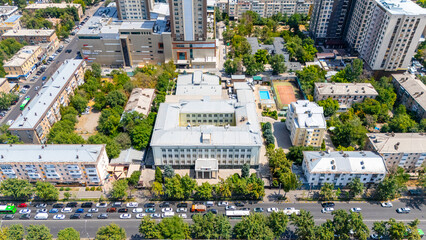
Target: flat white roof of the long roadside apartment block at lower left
{"x": 50, "y": 153}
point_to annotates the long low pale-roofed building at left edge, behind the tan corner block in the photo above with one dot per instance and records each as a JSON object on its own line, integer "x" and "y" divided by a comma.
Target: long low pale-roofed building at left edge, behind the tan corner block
{"x": 33, "y": 36}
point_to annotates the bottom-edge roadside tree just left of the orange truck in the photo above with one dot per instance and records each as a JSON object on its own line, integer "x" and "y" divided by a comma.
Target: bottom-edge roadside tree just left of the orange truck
{"x": 174, "y": 228}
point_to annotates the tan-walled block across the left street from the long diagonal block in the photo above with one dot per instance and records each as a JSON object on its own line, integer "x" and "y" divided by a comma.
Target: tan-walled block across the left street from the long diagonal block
{"x": 21, "y": 65}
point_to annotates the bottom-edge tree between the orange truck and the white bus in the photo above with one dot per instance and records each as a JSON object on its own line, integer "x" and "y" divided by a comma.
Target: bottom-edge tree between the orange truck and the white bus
{"x": 210, "y": 226}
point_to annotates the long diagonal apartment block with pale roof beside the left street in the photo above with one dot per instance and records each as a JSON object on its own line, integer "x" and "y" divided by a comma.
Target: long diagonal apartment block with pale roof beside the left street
{"x": 38, "y": 117}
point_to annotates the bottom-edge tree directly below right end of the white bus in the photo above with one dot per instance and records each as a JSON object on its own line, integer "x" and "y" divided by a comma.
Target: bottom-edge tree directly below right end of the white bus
{"x": 254, "y": 226}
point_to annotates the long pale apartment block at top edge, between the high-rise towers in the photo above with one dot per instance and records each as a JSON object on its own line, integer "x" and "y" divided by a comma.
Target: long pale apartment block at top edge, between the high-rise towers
{"x": 236, "y": 9}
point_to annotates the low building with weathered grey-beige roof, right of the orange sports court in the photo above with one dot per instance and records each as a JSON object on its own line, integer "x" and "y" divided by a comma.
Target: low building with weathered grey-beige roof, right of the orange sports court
{"x": 345, "y": 93}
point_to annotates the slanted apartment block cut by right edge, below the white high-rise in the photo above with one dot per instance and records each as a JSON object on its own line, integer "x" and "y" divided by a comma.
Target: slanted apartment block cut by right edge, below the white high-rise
{"x": 411, "y": 93}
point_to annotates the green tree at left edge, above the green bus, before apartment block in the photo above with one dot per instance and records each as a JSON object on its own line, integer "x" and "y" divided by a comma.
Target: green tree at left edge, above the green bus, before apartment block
{"x": 16, "y": 188}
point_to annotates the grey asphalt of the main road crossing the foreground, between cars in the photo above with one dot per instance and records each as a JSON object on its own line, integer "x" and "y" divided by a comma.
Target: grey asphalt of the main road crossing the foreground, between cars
{"x": 371, "y": 212}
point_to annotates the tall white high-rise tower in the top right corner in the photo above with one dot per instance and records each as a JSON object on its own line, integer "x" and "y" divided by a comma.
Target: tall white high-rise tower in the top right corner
{"x": 392, "y": 33}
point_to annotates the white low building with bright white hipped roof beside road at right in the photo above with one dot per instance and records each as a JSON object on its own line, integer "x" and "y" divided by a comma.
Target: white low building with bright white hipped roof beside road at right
{"x": 340, "y": 168}
